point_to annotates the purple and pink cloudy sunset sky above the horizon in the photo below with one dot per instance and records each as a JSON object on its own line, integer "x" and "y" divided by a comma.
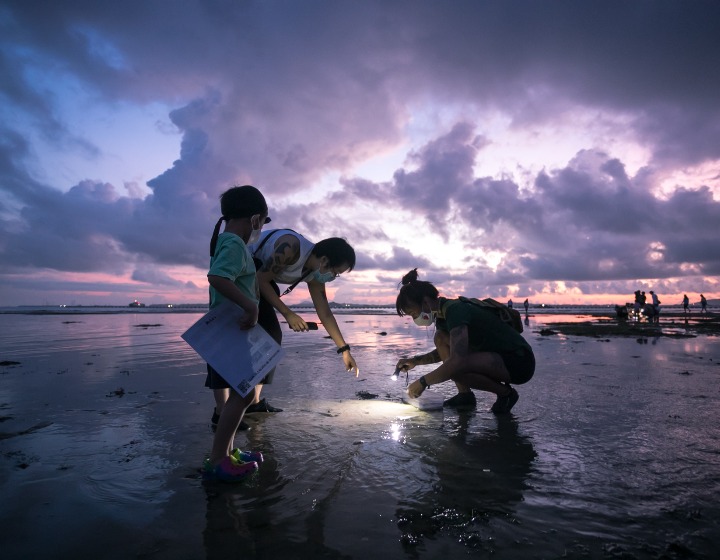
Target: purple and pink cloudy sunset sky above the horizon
{"x": 562, "y": 151}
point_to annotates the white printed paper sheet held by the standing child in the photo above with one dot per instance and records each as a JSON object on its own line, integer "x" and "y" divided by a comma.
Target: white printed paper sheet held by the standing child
{"x": 241, "y": 357}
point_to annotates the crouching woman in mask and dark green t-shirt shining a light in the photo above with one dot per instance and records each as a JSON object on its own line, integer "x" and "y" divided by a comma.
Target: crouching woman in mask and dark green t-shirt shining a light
{"x": 477, "y": 349}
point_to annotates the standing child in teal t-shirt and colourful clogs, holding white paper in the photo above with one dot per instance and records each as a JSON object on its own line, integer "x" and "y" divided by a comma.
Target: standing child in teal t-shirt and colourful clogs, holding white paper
{"x": 232, "y": 276}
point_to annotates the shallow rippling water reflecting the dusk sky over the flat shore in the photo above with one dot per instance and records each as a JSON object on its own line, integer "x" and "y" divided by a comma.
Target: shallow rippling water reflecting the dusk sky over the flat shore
{"x": 613, "y": 450}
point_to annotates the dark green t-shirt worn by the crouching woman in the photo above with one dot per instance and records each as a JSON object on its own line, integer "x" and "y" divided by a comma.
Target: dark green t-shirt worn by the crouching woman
{"x": 486, "y": 332}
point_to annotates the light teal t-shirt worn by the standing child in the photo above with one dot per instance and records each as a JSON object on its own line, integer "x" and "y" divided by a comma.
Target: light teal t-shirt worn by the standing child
{"x": 232, "y": 260}
